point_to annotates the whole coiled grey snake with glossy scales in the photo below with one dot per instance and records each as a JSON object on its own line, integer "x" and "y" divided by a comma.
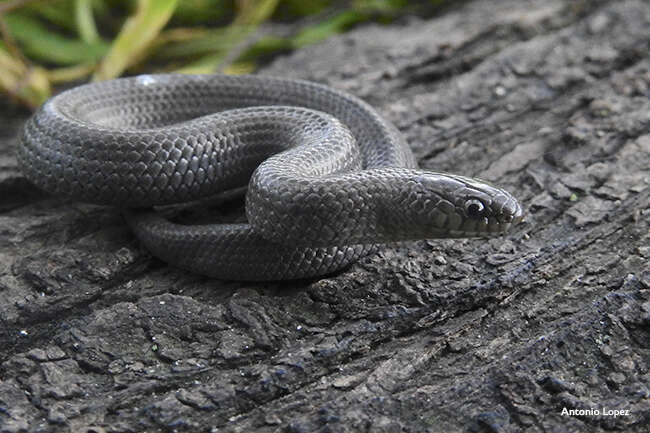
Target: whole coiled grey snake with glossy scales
{"x": 327, "y": 179}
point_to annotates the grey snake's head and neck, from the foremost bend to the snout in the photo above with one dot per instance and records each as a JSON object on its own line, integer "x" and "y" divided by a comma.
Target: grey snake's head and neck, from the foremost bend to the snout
{"x": 378, "y": 206}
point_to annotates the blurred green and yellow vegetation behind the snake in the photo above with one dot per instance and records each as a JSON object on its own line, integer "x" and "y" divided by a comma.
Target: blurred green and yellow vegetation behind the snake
{"x": 48, "y": 42}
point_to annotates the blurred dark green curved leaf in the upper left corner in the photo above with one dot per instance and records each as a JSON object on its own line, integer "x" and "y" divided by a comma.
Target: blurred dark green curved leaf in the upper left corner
{"x": 44, "y": 45}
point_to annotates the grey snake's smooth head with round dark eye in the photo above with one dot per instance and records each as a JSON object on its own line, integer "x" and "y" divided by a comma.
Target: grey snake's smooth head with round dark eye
{"x": 451, "y": 206}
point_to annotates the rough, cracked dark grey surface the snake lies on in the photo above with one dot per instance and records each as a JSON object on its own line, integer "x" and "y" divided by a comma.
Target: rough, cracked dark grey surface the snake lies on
{"x": 548, "y": 98}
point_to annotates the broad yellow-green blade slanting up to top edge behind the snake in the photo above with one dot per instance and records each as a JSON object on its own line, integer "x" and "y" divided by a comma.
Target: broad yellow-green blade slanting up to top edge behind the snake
{"x": 135, "y": 37}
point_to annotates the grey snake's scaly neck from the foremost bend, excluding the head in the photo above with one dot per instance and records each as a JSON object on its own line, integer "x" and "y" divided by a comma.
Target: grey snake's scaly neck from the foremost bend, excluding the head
{"x": 375, "y": 206}
